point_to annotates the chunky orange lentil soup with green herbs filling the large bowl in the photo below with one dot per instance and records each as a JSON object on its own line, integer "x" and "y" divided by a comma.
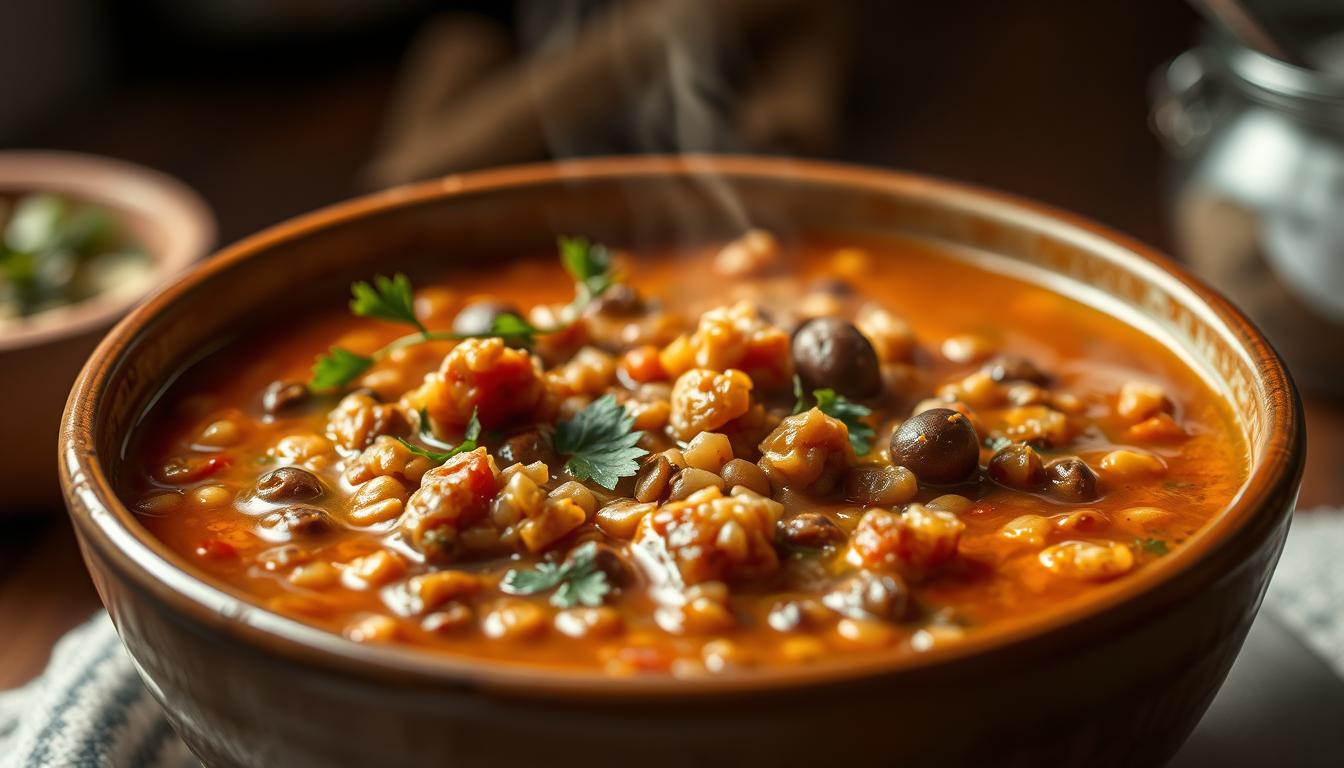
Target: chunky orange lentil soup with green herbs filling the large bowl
{"x": 687, "y": 463}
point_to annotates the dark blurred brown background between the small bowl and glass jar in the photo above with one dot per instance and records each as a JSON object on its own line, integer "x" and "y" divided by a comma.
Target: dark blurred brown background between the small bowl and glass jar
{"x": 274, "y": 108}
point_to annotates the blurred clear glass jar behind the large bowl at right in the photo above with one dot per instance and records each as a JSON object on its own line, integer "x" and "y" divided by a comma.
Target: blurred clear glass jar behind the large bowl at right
{"x": 1259, "y": 192}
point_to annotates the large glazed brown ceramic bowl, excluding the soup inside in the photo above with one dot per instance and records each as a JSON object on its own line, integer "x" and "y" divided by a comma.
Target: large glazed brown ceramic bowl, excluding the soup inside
{"x": 1118, "y": 679}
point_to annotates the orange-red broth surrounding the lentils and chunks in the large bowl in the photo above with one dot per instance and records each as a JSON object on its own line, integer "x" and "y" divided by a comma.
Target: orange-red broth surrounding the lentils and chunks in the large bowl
{"x": 990, "y": 578}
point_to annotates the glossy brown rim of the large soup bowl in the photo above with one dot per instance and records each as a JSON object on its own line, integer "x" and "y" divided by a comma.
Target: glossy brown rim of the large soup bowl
{"x": 111, "y": 529}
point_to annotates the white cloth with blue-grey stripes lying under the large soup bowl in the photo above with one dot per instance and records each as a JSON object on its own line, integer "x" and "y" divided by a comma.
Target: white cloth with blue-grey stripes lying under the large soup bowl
{"x": 91, "y": 711}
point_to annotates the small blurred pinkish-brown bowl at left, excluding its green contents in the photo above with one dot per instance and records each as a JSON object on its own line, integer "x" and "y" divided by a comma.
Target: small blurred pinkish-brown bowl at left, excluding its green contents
{"x": 44, "y": 356}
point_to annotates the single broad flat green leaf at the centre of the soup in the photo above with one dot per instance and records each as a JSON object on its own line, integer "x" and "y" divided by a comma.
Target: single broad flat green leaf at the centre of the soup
{"x": 600, "y": 443}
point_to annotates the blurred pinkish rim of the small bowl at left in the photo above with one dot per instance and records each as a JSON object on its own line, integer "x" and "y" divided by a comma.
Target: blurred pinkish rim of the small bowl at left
{"x": 128, "y": 189}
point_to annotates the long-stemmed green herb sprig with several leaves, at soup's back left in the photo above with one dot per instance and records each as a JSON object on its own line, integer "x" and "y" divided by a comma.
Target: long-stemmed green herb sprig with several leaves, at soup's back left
{"x": 393, "y": 299}
